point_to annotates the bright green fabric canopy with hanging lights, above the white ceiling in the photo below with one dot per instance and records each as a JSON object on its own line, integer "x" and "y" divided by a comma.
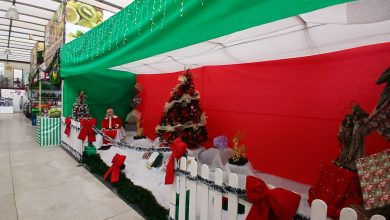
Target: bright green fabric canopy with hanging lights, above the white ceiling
{"x": 147, "y": 28}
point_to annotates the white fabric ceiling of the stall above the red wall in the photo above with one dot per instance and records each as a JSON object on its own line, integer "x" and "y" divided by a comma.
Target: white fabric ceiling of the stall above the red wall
{"x": 340, "y": 27}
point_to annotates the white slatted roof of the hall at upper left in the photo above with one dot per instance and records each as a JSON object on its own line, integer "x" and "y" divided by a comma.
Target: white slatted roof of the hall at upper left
{"x": 33, "y": 17}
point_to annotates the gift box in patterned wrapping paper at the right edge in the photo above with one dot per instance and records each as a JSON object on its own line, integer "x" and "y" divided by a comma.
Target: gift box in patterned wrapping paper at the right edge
{"x": 374, "y": 176}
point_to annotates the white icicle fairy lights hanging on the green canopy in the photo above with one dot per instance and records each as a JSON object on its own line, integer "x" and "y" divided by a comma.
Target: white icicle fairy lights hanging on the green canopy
{"x": 82, "y": 50}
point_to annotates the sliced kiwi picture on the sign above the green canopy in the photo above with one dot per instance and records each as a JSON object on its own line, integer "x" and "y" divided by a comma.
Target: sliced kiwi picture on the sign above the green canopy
{"x": 83, "y": 14}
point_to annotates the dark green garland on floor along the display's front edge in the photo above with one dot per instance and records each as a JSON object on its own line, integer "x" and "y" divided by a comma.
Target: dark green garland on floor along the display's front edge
{"x": 143, "y": 198}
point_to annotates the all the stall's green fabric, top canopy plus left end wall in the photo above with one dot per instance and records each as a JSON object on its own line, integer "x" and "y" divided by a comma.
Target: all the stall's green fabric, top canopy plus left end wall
{"x": 148, "y": 28}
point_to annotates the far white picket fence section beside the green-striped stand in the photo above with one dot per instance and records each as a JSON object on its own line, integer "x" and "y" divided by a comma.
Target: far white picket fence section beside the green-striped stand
{"x": 74, "y": 145}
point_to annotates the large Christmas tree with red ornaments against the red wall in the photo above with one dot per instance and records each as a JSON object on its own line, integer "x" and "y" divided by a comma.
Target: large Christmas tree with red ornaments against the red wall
{"x": 183, "y": 116}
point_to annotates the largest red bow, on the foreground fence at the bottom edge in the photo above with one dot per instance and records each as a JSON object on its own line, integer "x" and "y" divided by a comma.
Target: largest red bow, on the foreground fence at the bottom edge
{"x": 278, "y": 203}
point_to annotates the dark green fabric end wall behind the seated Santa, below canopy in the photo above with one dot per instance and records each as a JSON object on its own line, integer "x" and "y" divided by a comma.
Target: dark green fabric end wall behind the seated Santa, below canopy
{"x": 103, "y": 89}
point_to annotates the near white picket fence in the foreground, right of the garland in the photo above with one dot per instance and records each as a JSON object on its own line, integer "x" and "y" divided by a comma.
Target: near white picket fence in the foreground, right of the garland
{"x": 210, "y": 206}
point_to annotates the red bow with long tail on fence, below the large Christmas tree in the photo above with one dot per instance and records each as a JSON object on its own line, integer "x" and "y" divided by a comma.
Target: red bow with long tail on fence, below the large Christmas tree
{"x": 178, "y": 148}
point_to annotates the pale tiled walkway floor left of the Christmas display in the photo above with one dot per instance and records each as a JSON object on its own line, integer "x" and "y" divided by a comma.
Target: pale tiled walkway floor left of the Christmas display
{"x": 46, "y": 183}
